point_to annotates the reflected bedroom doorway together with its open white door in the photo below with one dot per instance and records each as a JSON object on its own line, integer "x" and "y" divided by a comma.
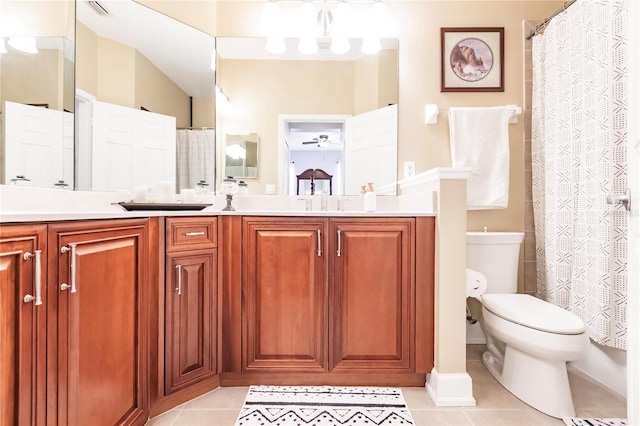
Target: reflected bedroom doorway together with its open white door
{"x": 361, "y": 149}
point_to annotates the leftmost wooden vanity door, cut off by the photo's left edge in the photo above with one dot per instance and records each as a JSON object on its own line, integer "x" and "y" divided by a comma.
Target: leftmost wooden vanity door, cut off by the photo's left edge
{"x": 22, "y": 324}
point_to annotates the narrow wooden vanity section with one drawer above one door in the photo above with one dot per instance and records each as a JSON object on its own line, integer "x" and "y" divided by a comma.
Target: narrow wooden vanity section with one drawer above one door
{"x": 190, "y": 302}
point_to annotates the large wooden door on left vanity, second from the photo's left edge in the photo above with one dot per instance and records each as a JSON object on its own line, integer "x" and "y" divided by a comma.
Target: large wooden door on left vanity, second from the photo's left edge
{"x": 98, "y": 352}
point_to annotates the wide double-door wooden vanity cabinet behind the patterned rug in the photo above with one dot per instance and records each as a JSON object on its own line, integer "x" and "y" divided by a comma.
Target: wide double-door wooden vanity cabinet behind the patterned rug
{"x": 335, "y": 296}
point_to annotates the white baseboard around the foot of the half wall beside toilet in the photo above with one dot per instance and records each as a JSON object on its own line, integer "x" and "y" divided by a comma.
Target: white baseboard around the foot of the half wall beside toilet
{"x": 450, "y": 389}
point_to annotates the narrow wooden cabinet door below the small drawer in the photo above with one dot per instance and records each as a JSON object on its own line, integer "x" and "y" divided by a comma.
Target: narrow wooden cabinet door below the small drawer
{"x": 190, "y": 321}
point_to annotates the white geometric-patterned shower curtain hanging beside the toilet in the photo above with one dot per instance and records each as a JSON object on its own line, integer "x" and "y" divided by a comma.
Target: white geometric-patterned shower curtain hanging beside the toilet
{"x": 579, "y": 145}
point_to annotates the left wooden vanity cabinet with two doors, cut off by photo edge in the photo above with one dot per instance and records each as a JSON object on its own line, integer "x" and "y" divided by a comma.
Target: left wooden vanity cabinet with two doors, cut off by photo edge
{"x": 80, "y": 357}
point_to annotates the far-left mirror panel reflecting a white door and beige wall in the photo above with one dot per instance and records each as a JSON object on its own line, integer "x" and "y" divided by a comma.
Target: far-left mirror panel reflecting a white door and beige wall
{"x": 37, "y": 93}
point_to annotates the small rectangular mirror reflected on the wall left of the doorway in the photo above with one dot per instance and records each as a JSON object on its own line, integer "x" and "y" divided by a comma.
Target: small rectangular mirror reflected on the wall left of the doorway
{"x": 241, "y": 155}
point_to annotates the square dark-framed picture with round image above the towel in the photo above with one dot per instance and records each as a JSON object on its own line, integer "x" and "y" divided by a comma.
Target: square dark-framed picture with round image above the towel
{"x": 472, "y": 59}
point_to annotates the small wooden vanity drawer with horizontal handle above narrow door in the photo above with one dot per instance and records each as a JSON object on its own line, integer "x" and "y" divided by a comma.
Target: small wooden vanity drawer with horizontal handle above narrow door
{"x": 191, "y": 233}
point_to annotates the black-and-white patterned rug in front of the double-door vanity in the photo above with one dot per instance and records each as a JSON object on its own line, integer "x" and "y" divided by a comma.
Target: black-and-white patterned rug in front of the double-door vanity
{"x": 324, "y": 405}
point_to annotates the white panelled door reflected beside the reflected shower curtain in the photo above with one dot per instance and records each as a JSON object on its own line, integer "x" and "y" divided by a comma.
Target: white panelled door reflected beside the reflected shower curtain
{"x": 131, "y": 148}
